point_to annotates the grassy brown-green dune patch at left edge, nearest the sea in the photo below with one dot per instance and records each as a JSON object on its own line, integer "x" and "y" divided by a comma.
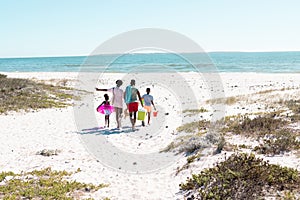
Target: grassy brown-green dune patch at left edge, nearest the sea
{"x": 24, "y": 94}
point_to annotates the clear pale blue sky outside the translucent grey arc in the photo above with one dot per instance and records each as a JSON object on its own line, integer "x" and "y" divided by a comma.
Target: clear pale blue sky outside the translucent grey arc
{"x": 63, "y": 27}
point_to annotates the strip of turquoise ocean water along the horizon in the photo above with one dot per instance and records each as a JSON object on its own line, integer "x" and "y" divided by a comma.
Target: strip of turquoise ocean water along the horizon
{"x": 263, "y": 62}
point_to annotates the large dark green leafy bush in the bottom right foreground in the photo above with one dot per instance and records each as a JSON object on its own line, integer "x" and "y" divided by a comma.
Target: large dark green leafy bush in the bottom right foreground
{"x": 241, "y": 176}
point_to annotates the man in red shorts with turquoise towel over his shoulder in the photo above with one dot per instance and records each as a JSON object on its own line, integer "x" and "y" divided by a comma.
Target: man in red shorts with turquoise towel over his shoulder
{"x": 130, "y": 96}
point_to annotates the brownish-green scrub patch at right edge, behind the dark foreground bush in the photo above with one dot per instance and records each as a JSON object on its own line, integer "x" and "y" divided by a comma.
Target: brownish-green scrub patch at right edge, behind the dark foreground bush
{"x": 275, "y": 134}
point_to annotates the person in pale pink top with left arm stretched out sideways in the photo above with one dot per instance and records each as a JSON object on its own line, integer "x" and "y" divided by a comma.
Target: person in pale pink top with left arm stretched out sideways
{"x": 117, "y": 100}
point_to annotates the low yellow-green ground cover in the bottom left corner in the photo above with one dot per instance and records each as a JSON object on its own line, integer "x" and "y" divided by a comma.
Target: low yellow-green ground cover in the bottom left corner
{"x": 43, "y": 184}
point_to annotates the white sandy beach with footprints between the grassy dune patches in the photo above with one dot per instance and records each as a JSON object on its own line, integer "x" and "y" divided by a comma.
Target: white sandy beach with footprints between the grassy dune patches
{"x": 24, "y": 134}
